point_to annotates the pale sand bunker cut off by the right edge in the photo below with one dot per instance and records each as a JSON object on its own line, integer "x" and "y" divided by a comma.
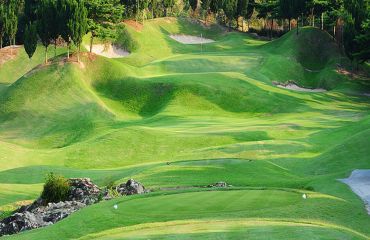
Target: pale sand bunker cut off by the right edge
{"x": 359, "y": 181}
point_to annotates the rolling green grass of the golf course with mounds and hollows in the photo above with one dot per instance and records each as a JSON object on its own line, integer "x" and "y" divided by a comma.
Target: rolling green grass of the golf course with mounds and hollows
{"x": 275, "y": 120}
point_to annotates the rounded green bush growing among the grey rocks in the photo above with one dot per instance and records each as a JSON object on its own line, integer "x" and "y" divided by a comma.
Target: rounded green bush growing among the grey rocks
{"x": 56, "y": 188}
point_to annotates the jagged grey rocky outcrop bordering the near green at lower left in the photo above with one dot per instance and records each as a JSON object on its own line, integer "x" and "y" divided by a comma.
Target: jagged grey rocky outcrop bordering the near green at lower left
{"x": 82, "y": 192}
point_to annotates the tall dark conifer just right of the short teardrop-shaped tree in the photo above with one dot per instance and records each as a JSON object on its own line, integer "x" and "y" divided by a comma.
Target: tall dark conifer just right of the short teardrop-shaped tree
{"x": 44, "y": 28}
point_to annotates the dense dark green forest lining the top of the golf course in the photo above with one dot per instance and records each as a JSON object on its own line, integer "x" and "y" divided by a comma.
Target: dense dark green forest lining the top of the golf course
{"x": 47, "y": 21}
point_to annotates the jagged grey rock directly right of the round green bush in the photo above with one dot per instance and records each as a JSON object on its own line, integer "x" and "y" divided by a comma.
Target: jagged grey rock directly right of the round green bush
{"x": 83, "y": 190}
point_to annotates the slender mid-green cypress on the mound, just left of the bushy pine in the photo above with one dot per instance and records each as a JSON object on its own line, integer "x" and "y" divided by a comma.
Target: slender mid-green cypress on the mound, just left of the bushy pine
{"x": 77, "y": 24}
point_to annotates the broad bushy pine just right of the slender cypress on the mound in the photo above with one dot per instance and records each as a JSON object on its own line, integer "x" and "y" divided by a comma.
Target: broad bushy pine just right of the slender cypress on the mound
{"x": 102, "y": 17}
